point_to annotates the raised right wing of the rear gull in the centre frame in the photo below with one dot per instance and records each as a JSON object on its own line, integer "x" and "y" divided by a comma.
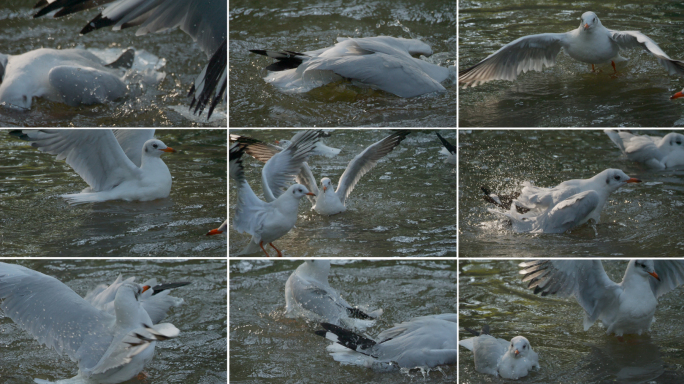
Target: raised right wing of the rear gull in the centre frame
{"x": 365, "y": 161}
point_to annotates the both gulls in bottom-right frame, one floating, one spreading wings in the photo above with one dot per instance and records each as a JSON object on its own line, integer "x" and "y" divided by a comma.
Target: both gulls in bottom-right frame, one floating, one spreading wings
{"x": 623, "y": 308}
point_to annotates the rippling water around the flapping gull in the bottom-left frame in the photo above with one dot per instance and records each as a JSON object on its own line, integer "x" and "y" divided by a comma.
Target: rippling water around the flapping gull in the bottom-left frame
{"x": 197, "y": 356}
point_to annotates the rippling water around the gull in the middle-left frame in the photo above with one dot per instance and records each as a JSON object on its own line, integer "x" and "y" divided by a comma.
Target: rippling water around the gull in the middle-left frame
{"x": 35, "y": 221}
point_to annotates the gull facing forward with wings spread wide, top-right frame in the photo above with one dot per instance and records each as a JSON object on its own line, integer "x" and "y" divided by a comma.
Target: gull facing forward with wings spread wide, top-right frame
{"x": 591, "y": 43}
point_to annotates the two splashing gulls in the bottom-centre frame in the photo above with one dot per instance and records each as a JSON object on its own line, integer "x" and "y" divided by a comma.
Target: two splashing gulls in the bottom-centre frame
{"x": 422, "y": 342}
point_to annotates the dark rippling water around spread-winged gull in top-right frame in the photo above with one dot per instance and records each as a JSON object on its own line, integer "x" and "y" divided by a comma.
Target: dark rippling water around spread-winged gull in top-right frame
{"x": 569, "y": 94}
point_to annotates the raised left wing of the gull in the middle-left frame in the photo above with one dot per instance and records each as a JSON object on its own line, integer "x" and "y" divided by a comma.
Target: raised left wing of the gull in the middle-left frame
{"x": 92, "y": 153}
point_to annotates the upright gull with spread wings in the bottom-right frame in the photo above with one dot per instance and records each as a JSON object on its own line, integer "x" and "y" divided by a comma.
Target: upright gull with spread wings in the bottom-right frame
{"x": 624, "y": 308}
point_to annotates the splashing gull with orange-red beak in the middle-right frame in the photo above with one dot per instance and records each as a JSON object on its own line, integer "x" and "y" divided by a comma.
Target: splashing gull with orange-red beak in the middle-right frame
{"x": 563, "y": 207}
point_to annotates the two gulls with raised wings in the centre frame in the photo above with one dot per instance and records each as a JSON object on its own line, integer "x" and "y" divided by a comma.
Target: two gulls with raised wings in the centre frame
{"x": 268, "y": 221}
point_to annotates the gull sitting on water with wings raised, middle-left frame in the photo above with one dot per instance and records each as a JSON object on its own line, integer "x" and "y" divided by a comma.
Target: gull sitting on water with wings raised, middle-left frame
{"x": 120, "y": 164}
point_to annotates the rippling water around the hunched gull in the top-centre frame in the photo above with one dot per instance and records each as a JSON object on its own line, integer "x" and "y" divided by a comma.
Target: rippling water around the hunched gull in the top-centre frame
{"x": 312, "y": 24}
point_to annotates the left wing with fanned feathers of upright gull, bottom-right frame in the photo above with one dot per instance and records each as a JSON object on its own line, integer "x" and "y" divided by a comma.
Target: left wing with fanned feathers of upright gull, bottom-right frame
{"x": 586, "y": 280}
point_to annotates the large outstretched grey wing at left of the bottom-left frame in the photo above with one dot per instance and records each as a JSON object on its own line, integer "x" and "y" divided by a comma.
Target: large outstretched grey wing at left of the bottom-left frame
{"x": 54, "y": 314}
